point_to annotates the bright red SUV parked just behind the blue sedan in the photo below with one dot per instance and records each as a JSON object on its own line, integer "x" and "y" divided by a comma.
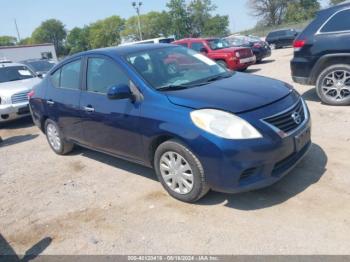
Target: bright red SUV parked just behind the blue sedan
{"x": 221, "y": 51}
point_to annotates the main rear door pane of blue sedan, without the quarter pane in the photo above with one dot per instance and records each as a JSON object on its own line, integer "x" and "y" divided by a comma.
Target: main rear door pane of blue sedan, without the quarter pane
{"x": 70, "y": 75}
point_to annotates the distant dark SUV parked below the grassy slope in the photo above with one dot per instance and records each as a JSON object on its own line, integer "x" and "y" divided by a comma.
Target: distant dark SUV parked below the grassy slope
{"x": 281, "y": 38}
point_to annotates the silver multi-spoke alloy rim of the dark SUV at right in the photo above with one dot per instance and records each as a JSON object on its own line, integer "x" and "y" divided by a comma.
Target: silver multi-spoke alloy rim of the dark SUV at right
{"x": 336, "y": 85}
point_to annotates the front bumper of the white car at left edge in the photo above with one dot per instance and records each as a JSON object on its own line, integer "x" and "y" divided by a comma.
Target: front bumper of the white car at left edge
{"x": 14, "y": 111}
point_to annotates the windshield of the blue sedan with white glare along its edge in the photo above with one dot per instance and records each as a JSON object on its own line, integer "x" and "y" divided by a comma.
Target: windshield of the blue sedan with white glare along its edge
{"x": 174, "y": 68}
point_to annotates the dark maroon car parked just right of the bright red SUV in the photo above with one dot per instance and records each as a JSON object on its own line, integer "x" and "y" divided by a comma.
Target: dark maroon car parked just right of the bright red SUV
{"x": 260, "y": 48}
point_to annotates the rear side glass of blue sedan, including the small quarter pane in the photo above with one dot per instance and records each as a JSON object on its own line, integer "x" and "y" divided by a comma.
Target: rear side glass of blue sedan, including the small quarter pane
{"x": 68, "y": 76}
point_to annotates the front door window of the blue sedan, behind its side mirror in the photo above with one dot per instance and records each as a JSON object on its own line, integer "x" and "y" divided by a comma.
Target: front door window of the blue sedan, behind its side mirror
{"x": 102, "y": 74}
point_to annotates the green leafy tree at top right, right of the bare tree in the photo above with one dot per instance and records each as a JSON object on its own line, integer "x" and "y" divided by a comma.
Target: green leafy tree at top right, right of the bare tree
{"x": 302, "y": 10}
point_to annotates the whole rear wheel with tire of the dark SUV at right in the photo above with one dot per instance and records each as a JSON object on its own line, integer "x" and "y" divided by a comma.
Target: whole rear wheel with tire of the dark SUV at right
{"x": 336, "y": 91}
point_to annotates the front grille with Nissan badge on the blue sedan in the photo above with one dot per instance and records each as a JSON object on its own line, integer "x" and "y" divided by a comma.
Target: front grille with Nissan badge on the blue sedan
{"x": 289, "y": 120}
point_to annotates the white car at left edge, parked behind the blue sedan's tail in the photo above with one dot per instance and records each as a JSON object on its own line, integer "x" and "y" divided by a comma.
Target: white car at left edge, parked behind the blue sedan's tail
{"x": 16, "y": 81}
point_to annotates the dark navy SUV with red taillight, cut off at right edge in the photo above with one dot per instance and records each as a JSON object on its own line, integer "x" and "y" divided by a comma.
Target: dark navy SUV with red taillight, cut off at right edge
{"x": 322, "y": 55}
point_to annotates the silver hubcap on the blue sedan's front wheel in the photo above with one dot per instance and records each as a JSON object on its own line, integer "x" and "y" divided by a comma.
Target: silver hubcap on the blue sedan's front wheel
{"x": 176, "y": 173}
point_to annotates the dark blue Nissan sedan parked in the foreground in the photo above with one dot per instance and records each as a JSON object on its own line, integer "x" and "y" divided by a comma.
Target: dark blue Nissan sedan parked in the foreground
{"x": 197, "y": 124}
